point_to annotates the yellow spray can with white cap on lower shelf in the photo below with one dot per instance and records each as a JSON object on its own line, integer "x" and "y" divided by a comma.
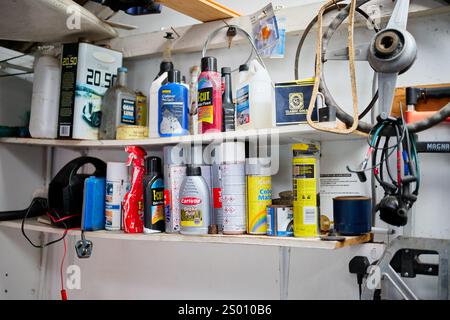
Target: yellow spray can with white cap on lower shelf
{"x": 259, "y": 194}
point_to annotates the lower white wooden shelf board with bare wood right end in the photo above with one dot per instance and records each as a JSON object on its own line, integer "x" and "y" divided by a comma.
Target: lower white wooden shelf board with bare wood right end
{"x": 308, "y": 243}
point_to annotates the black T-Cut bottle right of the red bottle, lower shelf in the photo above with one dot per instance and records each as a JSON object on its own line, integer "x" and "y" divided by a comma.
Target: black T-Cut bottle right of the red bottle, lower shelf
{"x": 154, "y": 218}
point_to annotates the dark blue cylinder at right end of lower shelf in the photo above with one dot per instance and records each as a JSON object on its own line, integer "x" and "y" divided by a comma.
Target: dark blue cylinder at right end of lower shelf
{"x": 352, "y": 215}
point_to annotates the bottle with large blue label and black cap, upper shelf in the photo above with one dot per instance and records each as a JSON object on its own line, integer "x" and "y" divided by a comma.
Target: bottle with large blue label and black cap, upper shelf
{"x": 173, "y": 117}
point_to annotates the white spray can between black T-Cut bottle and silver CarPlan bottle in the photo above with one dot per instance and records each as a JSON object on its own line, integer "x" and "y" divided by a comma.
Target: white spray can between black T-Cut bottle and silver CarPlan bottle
{"x": 174, "y": 173}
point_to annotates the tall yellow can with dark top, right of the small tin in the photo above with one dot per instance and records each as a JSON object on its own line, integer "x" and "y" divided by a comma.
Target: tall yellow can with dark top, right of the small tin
{"x": 305, "y": 178}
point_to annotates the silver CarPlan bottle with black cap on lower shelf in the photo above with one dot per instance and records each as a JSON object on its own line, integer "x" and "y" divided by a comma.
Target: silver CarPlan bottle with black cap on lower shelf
{"x": 194, "y": 203}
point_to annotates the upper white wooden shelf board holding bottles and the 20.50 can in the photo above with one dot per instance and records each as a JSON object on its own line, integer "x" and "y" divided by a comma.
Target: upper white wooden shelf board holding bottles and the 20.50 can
{"x": 280, "y": 135}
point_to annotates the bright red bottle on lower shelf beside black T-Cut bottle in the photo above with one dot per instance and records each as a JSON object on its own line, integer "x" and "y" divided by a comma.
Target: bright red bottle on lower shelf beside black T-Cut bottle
{"x": 133, "y": 202}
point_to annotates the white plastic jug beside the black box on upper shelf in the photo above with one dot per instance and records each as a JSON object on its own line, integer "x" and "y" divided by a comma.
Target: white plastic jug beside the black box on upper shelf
{"x": 255, "y": 98}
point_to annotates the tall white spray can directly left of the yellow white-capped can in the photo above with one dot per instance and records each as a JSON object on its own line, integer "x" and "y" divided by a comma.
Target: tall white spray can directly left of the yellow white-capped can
{"x": 232, "y": 176}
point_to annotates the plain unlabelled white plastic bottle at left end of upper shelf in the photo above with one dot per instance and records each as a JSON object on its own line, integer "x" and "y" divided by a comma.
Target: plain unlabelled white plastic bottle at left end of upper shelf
{"x": 45, "y": 98}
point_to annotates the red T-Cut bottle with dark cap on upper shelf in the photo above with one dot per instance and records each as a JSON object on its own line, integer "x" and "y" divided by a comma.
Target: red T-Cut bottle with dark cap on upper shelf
{"x": 209, "y": 102}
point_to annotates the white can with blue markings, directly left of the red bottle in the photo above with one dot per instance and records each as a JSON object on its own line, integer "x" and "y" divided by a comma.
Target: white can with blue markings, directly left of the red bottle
{"x": 117, "y": 184}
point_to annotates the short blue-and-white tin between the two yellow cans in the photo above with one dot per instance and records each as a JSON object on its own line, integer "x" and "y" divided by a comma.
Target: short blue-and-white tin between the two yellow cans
{"x": 280, "y": 222}
